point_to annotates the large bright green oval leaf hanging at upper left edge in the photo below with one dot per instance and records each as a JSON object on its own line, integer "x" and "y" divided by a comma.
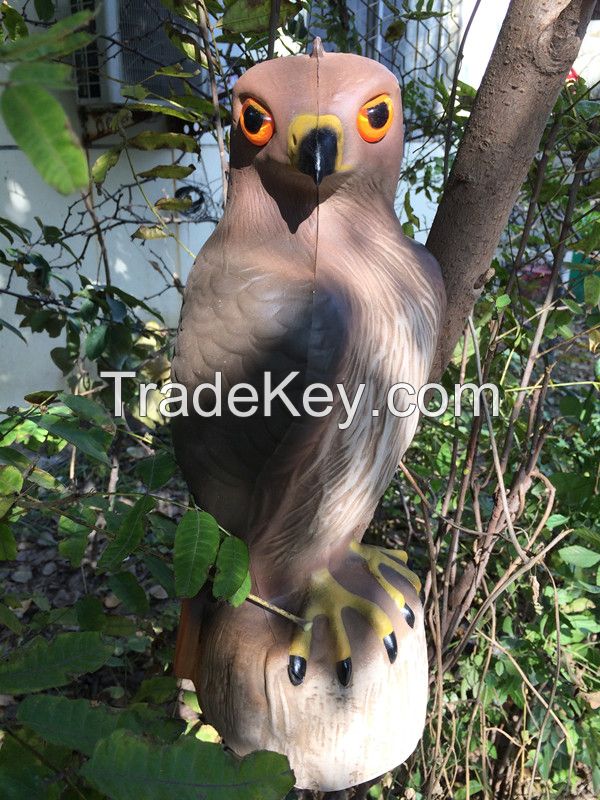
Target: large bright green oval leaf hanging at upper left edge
{"x": 42, "y": 130}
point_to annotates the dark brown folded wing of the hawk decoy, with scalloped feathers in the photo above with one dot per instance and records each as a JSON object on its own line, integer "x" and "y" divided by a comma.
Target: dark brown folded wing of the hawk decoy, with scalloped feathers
{"x": 242, "y": 322}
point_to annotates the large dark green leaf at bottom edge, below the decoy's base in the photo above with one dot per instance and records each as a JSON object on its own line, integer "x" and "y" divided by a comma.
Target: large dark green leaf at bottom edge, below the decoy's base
{"x": 188, "y": 769}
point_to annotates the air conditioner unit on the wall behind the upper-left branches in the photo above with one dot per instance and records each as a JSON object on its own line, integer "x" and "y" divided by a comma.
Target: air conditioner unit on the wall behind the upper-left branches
{"x": 131, "y": 43}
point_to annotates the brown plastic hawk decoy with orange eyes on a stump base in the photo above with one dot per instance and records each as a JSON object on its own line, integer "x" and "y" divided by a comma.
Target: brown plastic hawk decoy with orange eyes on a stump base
{"x": 309, "y": 278}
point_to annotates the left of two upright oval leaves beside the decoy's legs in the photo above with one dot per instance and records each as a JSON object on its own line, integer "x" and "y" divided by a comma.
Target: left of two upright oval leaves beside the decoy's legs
{"x": 196, "y": 543}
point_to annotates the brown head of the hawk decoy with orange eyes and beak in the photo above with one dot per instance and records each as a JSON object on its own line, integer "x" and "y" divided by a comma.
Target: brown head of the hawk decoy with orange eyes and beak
{"x": 319, "y": 121}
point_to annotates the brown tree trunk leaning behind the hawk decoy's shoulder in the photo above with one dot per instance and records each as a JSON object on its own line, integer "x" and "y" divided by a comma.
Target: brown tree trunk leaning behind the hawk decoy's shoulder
{"x": 537, "y": 45}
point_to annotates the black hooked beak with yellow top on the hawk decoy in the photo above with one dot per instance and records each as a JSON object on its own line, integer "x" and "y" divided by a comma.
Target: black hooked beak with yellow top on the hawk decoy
{"x": 315, "y": 145}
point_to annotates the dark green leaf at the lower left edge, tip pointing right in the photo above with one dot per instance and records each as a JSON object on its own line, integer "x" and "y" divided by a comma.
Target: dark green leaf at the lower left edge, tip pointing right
{"x": 44, "y": 665}
